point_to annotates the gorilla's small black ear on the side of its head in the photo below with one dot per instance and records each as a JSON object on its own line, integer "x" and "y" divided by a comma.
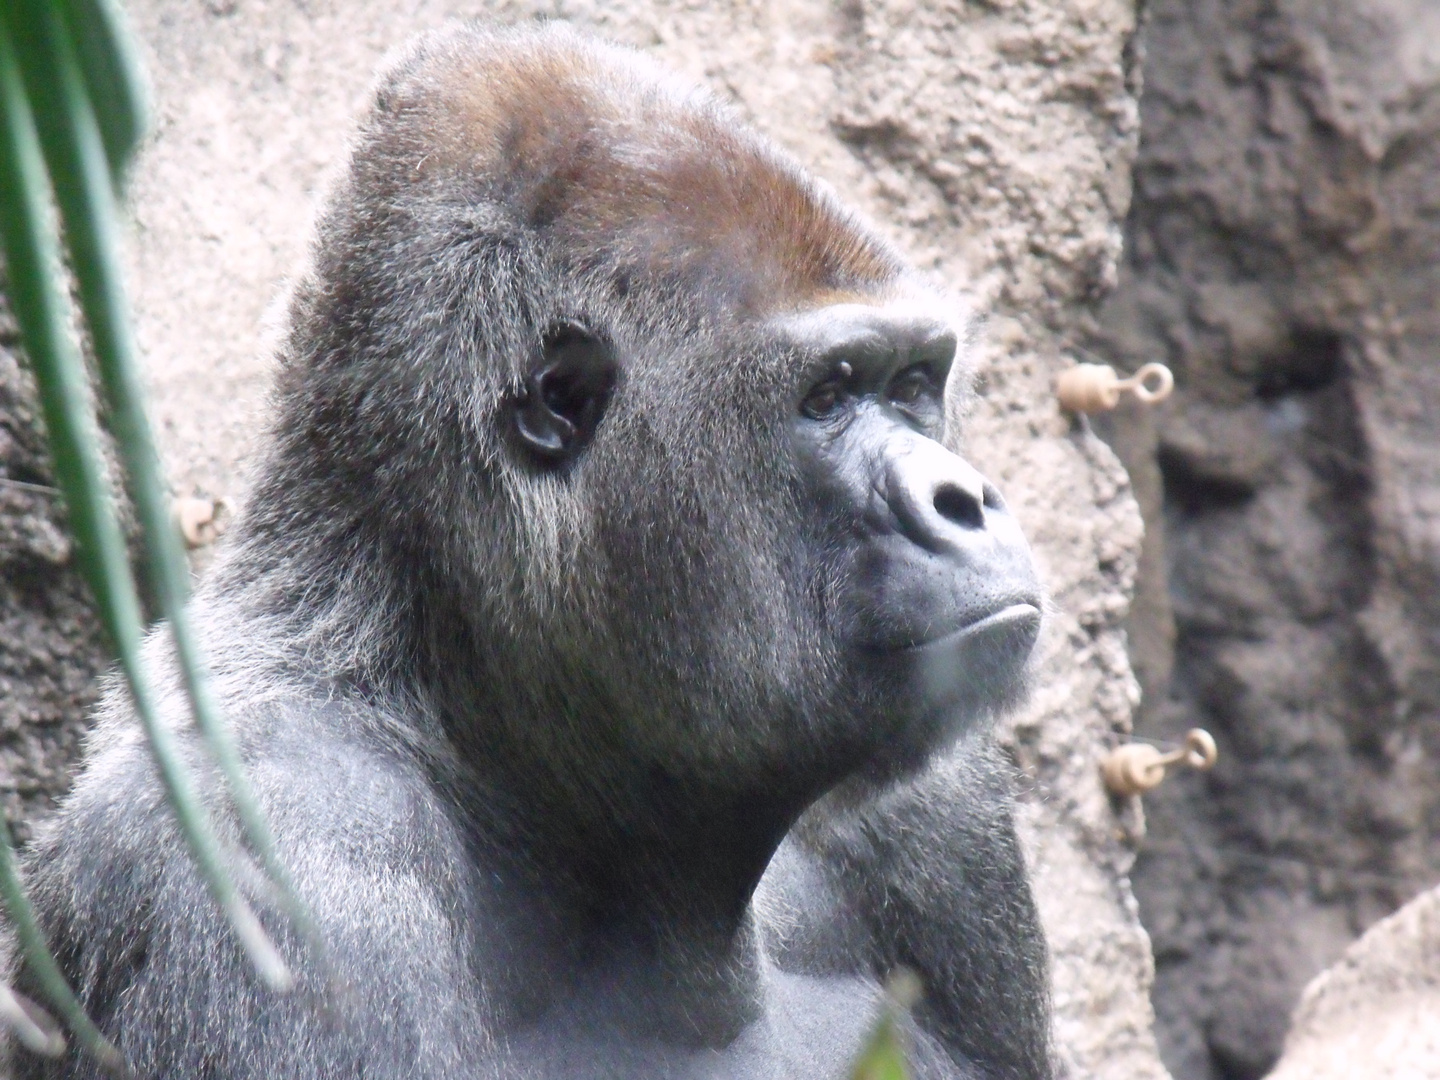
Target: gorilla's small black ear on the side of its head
{"x": 567, "y": 394}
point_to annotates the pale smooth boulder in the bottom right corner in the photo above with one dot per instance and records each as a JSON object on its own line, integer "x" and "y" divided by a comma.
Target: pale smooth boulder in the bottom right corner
{"x": 1377, "y": 1012}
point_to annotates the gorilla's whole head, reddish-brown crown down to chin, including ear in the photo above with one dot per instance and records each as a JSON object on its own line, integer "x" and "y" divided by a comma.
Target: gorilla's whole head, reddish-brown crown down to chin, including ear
{"x": 640, "y": 434}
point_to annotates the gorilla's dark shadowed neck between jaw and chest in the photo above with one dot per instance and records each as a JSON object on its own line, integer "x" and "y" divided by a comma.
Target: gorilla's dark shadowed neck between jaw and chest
{"x": 642, "y": 883}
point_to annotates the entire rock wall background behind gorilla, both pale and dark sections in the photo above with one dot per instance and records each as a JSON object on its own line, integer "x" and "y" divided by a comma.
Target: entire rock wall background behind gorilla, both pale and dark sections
{"x": 1279, "y": 256}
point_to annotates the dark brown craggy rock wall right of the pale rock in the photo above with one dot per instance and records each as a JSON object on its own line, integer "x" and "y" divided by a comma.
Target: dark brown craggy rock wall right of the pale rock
{"x": 1282, "y": 258}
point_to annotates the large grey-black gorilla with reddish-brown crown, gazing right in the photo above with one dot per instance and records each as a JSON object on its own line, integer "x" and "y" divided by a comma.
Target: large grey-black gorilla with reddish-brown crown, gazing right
{"x": 610, "y": 637}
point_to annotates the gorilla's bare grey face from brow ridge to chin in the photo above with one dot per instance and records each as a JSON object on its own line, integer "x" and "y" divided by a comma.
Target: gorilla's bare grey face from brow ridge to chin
{"x": 937, "y": 601}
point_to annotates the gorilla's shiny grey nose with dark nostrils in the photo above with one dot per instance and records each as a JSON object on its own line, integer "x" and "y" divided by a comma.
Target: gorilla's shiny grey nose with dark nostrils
{"x": 938, "y": 498}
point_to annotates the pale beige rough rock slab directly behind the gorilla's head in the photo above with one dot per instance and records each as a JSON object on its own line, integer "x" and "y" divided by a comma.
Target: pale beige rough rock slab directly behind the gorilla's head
{"x": 993, "y": 142}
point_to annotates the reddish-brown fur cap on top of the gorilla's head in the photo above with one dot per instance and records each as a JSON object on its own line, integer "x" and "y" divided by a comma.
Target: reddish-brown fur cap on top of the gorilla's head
{"x": 626, "y": 168}
